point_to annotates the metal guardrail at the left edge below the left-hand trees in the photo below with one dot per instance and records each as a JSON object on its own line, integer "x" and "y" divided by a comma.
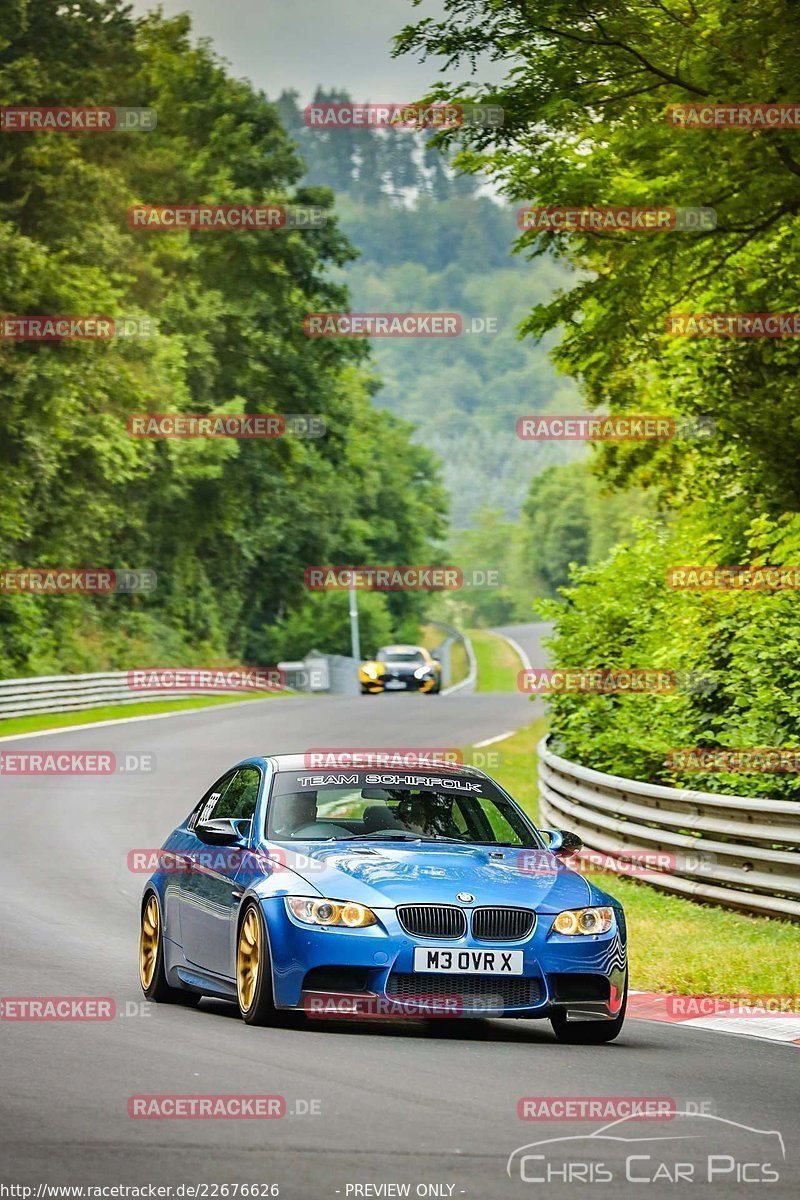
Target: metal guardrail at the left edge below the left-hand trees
{"x": 71, "y": 694}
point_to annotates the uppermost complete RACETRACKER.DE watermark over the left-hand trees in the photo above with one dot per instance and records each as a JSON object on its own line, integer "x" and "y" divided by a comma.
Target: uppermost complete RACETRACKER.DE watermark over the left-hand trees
{"x": 226, "y": 218}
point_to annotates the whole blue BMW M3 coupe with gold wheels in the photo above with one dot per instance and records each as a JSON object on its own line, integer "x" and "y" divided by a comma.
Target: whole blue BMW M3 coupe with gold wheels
{"x": 420, "y": 891}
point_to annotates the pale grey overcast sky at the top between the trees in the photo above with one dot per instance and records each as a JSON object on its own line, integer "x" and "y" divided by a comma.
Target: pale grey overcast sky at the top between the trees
{"x": 300, "y": 44}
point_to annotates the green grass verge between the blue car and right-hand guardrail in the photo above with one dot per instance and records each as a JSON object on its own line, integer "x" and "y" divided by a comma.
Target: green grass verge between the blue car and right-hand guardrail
{"x": 676, "y": 945}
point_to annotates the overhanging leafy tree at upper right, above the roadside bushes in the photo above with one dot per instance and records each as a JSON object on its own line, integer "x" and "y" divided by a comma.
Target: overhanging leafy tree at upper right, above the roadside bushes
{"x": 586, "y": 125}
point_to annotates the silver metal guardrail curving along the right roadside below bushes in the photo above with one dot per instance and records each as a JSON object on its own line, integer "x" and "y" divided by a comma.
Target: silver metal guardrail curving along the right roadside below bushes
{"x": 738, "y": 851}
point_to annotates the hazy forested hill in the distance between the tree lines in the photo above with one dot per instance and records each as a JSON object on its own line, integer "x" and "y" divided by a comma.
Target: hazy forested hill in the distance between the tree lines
{"x": 429, "y": 242}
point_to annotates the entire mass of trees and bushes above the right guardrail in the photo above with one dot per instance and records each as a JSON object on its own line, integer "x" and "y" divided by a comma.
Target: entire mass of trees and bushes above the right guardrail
{"x": 586, "y": 105}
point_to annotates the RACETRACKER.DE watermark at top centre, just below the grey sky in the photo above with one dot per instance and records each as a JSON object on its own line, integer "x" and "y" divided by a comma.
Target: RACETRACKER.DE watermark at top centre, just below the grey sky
{"x": 400, "y": 116}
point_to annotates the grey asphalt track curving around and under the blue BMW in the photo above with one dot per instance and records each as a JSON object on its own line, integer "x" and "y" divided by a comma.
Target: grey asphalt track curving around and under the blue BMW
{"x": 432, "y": 1103}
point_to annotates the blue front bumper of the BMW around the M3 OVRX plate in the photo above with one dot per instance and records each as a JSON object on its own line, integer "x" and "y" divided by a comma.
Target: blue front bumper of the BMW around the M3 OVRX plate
{"x": 585, "y": 976}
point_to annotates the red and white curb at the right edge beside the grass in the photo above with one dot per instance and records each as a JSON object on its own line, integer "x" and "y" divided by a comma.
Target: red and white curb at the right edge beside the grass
{"x": 658, "y": 1006}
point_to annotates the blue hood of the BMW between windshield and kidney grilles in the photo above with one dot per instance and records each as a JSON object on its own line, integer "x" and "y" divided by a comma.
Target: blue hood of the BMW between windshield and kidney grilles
{"x": 383, "y": 874}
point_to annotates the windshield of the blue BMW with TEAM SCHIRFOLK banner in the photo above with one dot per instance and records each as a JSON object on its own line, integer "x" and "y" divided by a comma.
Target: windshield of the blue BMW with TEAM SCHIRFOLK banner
{"x": 383, "y": 807}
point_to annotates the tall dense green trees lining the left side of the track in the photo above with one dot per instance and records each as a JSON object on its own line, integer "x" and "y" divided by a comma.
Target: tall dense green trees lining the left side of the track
{"x": 228, "y": 527}
